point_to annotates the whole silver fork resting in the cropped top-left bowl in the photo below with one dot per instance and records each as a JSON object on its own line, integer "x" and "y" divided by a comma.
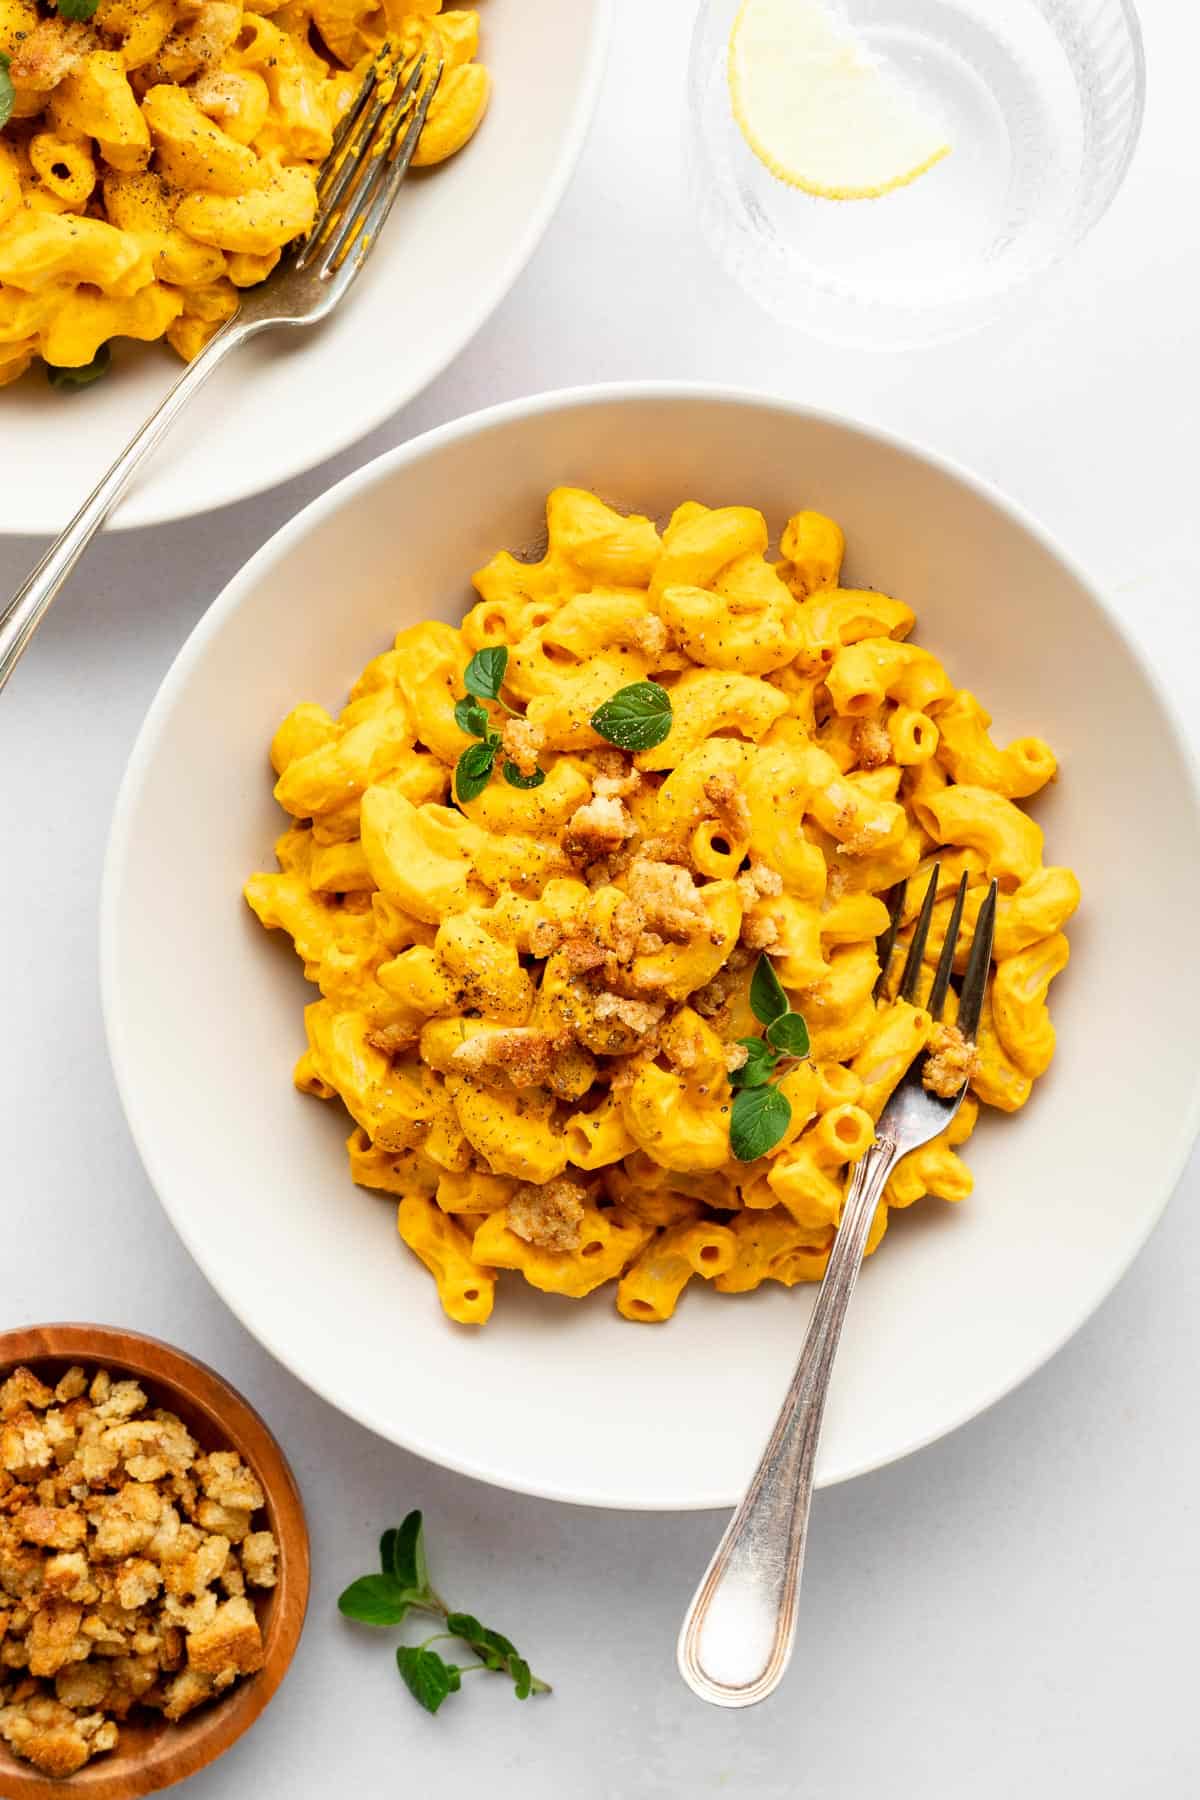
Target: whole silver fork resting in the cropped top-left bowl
{"x": 359, "y": 181}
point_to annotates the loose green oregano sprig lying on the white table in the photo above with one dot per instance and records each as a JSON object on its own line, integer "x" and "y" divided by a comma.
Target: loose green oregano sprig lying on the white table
{"x": 404, "y": 1587}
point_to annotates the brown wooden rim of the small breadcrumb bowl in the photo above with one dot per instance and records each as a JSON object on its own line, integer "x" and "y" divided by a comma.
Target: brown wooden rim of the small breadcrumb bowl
{"x": 168, "y": 1371}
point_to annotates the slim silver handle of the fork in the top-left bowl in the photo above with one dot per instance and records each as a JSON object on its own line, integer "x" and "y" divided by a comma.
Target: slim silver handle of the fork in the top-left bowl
{"x": 22, "y": 616}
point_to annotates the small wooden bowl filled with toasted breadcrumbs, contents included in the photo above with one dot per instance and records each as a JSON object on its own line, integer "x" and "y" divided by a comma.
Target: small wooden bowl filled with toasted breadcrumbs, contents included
{"x": 154, "y": 1563}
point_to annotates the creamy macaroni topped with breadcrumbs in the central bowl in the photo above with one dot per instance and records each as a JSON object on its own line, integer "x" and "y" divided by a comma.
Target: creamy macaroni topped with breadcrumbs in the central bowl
{"x": 532, "y": 1002}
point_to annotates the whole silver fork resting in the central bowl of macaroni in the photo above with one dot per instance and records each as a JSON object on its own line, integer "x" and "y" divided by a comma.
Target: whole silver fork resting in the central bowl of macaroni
{"x": 739, "y": 1633}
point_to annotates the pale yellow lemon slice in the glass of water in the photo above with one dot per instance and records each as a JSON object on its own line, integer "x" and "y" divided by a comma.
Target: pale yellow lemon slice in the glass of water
{"x": 818, "y": 111}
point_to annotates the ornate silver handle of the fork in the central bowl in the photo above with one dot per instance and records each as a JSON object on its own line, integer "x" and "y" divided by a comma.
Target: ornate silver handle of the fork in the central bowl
{"x": 740, "y": 1628}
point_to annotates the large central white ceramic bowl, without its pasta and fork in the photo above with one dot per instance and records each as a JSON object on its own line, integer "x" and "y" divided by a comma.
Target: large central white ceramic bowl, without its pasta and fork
{"x": 564, "y": 1399}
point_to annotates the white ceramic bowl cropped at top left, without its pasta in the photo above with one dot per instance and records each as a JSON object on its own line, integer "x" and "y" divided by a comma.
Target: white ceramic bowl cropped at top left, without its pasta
{"x": 458, "y": 240}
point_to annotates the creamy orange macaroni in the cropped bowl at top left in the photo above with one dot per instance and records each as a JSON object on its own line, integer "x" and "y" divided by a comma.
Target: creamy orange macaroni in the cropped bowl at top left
{"x": 163, "y": 154}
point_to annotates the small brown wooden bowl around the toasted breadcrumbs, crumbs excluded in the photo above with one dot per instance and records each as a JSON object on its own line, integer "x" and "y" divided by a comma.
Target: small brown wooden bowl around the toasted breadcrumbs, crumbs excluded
{"x": 152, "y": 1752}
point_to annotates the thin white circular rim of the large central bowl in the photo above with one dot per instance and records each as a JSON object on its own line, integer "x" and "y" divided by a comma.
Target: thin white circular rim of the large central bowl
{"x": 237, "y": 593}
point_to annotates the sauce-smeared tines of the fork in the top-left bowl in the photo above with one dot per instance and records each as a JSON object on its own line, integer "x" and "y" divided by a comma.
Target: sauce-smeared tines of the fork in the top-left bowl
{"x": 372, "y": 154}
